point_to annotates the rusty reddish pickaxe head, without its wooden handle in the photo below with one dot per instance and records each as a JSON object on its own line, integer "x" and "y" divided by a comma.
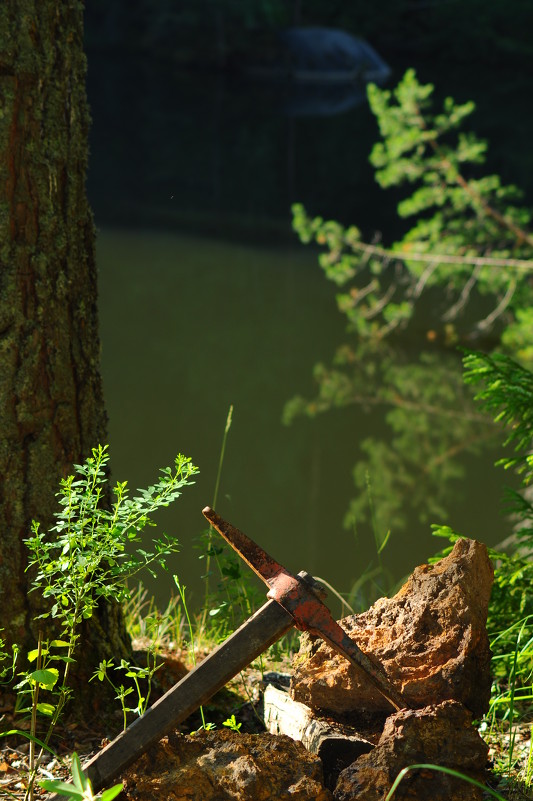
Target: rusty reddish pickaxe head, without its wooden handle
{"x": 301, "y": 596}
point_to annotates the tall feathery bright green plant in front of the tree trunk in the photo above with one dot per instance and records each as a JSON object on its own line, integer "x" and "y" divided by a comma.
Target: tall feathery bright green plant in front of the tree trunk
{"x": 84, "y": 558}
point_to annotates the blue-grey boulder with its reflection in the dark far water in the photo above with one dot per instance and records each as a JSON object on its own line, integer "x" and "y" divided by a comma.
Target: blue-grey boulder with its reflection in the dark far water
{"x": 323, "y": 70}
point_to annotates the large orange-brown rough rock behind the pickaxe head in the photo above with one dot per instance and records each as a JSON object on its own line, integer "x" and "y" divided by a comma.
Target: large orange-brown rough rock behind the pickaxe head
{"x": 430, "y": 639}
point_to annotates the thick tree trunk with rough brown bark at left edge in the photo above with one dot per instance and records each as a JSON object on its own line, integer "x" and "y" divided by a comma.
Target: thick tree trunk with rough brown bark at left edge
{"x": 51, "y": 404}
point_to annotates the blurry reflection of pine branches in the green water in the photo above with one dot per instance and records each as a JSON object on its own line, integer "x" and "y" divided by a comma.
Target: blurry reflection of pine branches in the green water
{"x": 432, "y": 424}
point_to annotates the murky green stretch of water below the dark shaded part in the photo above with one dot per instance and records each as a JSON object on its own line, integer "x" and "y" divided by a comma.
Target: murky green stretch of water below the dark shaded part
{"x": 190, "y": 326}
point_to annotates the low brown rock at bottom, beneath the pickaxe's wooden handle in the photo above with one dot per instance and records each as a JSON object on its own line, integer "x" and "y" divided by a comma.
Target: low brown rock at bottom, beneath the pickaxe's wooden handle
{"x": 224, "y": 766}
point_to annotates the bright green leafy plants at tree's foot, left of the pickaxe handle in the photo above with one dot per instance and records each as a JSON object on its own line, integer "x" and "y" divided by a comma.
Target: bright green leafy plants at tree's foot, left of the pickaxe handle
{"x": 84, "y": 560}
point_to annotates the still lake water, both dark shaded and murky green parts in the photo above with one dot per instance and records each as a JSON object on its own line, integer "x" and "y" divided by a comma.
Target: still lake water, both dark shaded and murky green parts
{"x": 208, "y": 300}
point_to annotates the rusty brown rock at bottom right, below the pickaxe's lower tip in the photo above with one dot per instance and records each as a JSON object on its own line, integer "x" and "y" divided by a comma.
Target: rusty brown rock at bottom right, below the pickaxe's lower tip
{"x": 441, "y": 734}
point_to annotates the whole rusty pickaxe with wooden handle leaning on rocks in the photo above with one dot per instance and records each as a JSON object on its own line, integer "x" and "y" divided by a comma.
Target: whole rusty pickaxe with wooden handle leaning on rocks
{"x": 294, "y": 601}
